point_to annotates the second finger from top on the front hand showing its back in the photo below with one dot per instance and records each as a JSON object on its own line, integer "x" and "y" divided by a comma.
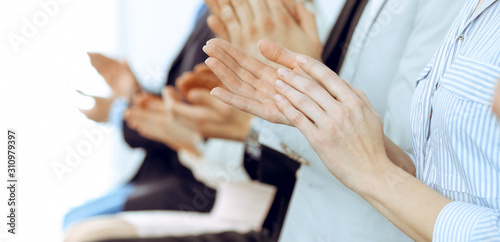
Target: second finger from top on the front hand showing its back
{"x": 310, "y": 88}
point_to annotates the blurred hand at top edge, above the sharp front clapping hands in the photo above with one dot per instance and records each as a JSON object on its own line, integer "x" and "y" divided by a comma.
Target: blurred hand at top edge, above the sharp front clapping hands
{"x": 245, "y": 22}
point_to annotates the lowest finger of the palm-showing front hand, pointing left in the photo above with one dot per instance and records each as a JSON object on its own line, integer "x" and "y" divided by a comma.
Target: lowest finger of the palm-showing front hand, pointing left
{"x": 246, "y": 105}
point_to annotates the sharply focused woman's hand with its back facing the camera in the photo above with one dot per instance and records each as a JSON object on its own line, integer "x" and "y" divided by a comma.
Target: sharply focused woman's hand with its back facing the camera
{"x": 338, "y": 121}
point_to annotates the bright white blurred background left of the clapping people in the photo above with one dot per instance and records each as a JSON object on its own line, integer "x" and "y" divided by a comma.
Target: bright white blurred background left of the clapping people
{"x": 43, "y": 61}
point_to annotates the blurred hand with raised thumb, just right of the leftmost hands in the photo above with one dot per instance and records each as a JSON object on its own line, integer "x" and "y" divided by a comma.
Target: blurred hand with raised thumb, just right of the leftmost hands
{"x": 152, "y": 117}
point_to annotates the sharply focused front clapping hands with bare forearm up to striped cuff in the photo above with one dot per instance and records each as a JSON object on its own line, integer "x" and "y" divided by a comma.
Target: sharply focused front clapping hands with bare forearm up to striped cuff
{"x": 338, "y": 121}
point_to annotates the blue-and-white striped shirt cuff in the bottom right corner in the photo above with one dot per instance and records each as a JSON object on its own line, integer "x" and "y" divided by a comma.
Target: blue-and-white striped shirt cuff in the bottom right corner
{"x": 460, "y": 221}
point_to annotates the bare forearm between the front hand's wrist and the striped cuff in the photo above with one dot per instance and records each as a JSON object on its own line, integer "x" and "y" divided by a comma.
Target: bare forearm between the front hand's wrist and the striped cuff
{"x": 408, "y": 203}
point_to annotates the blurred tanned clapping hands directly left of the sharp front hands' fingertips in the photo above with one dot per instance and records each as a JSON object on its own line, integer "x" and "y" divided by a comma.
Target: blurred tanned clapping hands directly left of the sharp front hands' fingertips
{"x": 206, "y": 114}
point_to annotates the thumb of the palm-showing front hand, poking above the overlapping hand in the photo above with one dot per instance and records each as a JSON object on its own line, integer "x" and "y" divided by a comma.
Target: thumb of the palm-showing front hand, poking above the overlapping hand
{"x": 278, "y": 54}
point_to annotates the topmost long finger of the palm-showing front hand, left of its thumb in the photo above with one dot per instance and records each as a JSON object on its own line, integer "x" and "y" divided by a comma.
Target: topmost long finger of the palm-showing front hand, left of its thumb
{"x": 244, "y": 61}
